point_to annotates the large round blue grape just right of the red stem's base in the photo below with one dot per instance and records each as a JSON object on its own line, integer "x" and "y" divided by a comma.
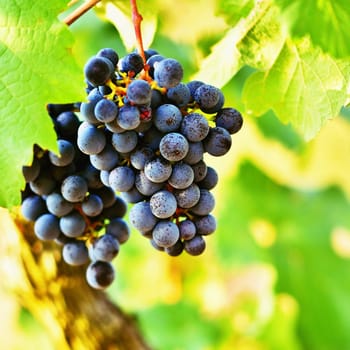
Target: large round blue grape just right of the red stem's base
{"x": 168, "y": 72}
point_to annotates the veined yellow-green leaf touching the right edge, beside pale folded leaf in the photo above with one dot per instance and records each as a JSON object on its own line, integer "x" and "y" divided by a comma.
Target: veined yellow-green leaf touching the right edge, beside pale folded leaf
{"x": 304, "y": 87}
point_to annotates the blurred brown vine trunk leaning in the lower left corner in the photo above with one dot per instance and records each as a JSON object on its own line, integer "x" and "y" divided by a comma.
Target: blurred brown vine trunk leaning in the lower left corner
{"x": 75, "y": 315}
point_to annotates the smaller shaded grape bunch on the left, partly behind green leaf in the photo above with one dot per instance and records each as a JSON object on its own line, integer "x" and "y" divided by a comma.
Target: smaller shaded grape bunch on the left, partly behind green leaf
{"x": 70, "y": 205}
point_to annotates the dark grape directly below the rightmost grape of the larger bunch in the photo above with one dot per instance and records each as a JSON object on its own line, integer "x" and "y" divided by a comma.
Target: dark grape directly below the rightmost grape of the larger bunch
{"x": 218, "y": 142}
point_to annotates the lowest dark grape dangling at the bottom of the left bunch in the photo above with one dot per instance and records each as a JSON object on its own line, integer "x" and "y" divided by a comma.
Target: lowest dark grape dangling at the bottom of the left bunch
{"x": 100, "y": 274}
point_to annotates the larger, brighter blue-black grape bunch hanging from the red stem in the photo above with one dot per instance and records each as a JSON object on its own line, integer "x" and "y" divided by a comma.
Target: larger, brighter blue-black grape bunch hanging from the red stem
{"x": 147, "y": 132}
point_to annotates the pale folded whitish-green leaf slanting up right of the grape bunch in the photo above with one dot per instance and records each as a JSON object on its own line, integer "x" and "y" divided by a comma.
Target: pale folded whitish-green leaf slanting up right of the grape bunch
{"x": 256, "y": 41}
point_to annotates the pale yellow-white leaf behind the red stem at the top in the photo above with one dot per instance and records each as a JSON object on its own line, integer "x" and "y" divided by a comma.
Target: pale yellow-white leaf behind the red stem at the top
{"x": 118, "y": 12}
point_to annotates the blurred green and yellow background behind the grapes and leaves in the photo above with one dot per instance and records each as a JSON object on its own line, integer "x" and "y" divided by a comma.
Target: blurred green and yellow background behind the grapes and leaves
{"x": 275, "y": 275}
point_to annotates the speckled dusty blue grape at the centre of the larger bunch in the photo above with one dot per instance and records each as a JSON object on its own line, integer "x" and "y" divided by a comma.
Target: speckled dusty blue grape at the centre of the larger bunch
{"x": 173, "y": 146}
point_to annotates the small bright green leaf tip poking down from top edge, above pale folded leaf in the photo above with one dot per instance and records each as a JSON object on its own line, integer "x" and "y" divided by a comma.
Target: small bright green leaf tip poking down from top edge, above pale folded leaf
{"x": 234, "y": 10}
